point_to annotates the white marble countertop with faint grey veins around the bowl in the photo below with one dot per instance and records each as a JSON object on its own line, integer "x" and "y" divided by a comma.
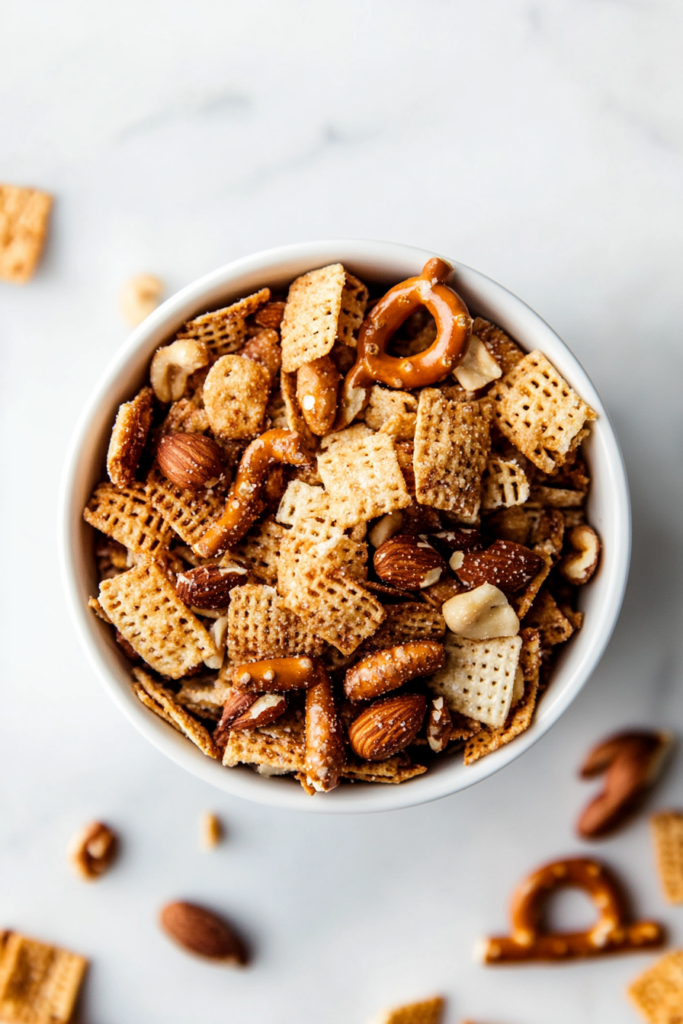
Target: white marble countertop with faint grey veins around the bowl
{"x": 540, "y": 143}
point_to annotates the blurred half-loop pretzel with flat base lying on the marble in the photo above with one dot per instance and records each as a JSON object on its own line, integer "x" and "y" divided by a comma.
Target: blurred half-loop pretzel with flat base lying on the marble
{"x": 611, "y": 934}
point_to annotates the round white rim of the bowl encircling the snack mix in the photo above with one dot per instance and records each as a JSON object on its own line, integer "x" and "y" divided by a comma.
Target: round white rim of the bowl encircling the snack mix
{"x": 204, "y": 293}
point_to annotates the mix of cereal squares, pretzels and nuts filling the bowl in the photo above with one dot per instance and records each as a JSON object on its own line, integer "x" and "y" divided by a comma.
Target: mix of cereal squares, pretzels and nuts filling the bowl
{"x": 343, "y": 537}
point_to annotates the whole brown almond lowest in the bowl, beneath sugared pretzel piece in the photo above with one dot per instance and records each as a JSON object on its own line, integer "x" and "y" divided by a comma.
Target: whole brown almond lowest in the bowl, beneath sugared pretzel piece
{"x": 388, "y": 727}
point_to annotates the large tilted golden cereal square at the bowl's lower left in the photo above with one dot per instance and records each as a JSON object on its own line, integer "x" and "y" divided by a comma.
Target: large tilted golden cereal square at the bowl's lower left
{"x": 144, "y": 607}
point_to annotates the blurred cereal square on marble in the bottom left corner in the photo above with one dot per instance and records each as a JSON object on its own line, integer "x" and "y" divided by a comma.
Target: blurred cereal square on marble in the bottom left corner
{"x": 39, "y": 984}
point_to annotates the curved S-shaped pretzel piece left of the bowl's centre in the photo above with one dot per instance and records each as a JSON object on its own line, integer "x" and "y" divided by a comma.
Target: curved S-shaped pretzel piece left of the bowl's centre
{"x": 244, "y": 501}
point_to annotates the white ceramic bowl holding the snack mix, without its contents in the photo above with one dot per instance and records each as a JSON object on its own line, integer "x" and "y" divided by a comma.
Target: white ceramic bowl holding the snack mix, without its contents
{"x": 383, "y": 264}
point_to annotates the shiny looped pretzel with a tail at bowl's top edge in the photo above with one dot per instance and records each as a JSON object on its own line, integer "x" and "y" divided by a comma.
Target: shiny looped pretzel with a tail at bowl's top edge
{"x": 454, "y": 326}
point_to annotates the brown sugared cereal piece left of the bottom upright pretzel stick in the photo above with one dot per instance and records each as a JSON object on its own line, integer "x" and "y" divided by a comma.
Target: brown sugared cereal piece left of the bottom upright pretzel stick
{"x": 277, "y": 749}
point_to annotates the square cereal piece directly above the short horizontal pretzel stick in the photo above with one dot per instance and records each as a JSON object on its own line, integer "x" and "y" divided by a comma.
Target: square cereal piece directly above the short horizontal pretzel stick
{"x": 261, "y": 626}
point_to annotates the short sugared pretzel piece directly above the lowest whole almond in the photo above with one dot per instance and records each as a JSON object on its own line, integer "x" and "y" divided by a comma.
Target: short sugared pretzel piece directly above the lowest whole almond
{"x": 390, "y": 669}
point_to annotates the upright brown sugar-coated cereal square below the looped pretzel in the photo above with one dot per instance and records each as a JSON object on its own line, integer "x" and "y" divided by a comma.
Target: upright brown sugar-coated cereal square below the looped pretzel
{"x": 452, "y": 443}
